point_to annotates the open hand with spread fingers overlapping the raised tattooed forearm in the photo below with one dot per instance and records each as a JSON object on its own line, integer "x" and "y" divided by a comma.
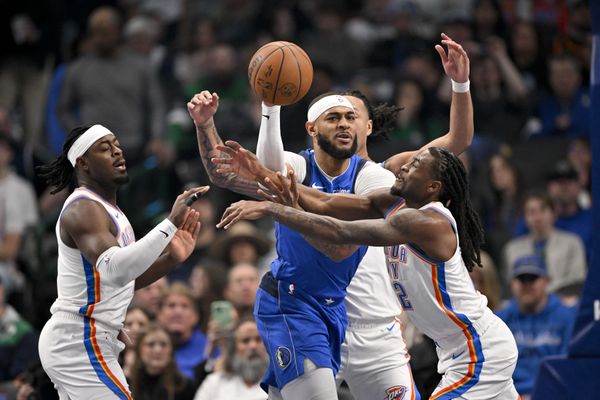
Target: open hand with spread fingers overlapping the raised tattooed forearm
{"x": 240, "y": 162}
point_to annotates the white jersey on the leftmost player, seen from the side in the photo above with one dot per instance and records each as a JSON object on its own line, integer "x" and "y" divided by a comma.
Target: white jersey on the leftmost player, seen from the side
{"x": 80, "y": 287}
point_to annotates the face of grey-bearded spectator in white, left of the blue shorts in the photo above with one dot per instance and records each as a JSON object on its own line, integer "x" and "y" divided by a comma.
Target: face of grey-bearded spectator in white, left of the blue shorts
{"x": 249, "y": 360}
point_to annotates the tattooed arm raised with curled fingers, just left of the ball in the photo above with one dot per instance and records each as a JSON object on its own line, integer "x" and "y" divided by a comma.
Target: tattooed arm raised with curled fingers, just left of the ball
{"x": 202, "y": 107}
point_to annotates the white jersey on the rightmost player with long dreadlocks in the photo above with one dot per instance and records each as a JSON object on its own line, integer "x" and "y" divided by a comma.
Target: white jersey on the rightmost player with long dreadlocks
{"x": 439, "y": 297}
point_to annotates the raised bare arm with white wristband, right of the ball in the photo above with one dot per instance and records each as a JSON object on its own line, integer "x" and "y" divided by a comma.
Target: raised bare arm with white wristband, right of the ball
{"x": 460, "y": 135}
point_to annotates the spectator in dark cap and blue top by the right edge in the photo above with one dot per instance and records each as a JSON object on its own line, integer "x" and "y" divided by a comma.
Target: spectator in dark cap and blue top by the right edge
{"x": 564, "y": 190}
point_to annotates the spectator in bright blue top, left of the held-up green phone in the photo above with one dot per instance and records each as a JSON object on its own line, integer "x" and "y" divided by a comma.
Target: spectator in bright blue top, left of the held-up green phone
{"x": 179, "y": 315}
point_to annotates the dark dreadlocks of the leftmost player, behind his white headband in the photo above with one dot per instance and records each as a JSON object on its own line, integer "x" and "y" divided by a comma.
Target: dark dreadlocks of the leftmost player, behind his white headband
{"x": 60, "y": 173}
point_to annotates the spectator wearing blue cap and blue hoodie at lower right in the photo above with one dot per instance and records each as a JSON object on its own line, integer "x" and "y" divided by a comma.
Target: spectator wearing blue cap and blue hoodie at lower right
{"x": 540, "y": 323}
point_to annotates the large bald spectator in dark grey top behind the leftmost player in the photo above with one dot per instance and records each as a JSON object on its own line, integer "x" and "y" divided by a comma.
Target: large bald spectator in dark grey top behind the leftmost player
{"x": 115, "y": 88}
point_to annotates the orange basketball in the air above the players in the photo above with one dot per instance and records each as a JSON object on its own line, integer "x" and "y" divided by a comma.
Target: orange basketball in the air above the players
{"x": 280, "y": 73}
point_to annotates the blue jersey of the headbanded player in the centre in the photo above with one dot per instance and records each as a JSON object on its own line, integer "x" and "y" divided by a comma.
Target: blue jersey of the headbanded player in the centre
{"x": 300, "y": 263}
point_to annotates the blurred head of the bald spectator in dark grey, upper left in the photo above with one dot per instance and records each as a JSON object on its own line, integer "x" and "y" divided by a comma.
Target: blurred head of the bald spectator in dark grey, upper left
{"x": 105, "y": 30}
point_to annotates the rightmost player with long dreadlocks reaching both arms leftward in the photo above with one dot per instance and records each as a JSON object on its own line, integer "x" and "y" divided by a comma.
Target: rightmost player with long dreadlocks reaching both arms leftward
{"x": 431, "y": 244}
